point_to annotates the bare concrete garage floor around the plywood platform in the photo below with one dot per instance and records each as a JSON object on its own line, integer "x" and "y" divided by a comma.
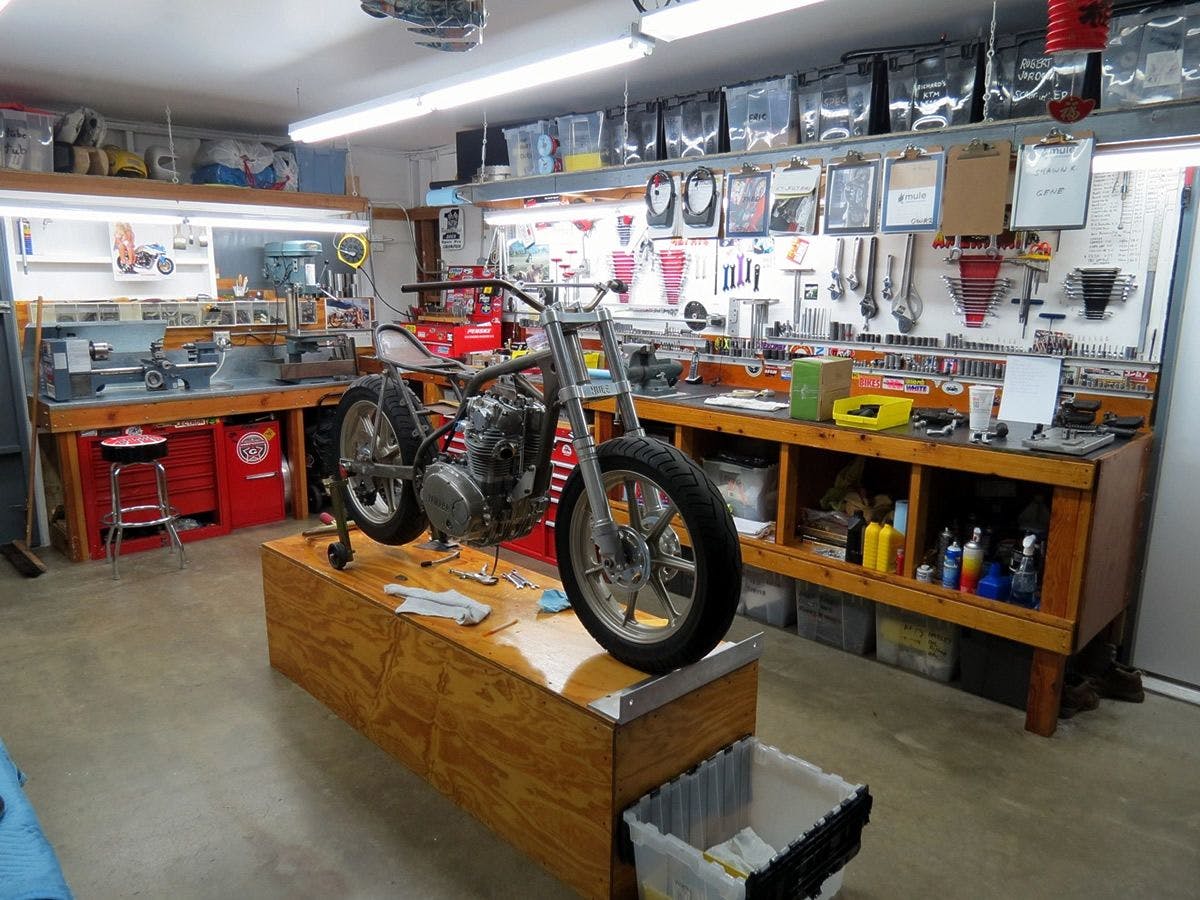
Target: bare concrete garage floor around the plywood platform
{"x": 167, "y": 759}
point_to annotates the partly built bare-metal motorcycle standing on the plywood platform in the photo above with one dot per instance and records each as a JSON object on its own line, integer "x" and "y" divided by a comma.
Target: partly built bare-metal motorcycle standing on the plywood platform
{"x": 647, "y": 550}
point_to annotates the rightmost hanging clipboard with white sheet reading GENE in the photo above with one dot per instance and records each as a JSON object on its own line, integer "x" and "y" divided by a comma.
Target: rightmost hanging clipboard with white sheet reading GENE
{"x": 1054, "y": 181}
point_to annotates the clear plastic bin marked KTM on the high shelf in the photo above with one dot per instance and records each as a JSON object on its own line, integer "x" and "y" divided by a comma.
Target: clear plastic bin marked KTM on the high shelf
{"x": 934, "y": 88}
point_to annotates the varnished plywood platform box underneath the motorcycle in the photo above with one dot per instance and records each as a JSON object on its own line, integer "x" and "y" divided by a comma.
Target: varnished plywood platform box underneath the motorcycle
{"x": 497, "y": 716}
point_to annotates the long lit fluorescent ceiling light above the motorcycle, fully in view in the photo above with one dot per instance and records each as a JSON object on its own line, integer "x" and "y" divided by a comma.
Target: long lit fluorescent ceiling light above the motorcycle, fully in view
{"x": 511, "y": 79}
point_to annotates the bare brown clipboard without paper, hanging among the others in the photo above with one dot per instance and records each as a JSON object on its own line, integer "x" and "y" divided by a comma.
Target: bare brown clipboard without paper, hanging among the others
{"x": 977, "y": 188}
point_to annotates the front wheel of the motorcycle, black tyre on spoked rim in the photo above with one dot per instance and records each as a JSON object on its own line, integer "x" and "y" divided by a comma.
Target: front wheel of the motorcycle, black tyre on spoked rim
{"x": 676, "y": 597}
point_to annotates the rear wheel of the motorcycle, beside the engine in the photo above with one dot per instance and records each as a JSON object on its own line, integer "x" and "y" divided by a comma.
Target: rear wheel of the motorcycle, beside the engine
{"x": 386, "y": 509}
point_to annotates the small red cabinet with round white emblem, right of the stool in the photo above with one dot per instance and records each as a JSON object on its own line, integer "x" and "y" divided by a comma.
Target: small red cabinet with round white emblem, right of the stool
{"x": 254, "y": 465}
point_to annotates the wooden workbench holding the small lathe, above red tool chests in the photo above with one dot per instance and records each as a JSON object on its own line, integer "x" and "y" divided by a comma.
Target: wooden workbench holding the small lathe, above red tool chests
{"x": 61, "y": 424}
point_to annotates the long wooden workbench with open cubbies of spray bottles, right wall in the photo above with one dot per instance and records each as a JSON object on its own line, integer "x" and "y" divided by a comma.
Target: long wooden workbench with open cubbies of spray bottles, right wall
{"x": 1096, "y": 508}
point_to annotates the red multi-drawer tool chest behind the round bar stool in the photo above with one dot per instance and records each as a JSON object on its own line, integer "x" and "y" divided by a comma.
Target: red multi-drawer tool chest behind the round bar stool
{"x": 195, "y": 484}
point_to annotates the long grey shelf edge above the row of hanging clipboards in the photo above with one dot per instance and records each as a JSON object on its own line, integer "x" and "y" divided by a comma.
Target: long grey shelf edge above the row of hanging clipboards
{"x": 1163, "y": 121}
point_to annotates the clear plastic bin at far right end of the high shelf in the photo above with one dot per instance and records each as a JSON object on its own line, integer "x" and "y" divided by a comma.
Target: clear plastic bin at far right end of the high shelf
{"x": 1153, "y": 57}
